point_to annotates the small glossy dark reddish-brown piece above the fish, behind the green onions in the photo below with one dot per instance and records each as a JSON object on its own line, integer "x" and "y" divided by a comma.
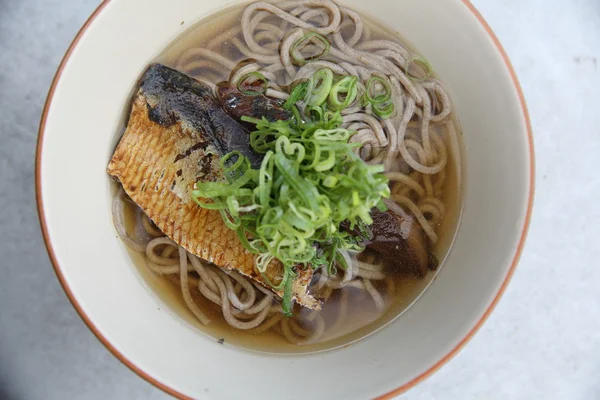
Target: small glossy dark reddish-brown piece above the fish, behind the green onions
{"x": 238, "y": 104}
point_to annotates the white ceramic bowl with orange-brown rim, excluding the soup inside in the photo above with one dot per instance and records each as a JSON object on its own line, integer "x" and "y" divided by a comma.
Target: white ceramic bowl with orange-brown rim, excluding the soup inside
{"x": 85, "y": 110}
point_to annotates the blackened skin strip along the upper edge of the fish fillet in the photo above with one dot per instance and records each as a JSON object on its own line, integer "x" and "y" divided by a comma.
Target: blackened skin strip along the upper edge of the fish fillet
{"x": 175, "y": 97}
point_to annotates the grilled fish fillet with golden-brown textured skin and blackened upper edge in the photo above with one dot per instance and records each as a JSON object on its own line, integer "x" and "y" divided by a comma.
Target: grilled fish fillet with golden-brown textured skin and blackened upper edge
{"x": 176, "y": 134}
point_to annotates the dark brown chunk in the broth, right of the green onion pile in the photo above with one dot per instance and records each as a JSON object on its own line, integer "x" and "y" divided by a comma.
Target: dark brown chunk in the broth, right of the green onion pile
{"x": 401, "y": 243}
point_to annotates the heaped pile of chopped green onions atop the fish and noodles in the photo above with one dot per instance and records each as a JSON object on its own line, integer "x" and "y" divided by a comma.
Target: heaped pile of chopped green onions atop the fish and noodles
{"x": 291, "y": 209}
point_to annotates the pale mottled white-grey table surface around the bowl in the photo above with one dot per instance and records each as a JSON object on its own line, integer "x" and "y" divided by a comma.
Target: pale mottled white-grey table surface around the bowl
{"x": 543, "y": 340}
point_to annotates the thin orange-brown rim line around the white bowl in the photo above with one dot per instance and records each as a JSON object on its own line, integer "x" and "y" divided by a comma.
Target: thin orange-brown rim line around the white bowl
{"x": 389, "y": 395}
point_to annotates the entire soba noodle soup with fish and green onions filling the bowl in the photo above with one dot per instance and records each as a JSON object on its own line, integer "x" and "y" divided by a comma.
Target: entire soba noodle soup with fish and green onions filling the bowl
{"x": 304, "y": 69}
